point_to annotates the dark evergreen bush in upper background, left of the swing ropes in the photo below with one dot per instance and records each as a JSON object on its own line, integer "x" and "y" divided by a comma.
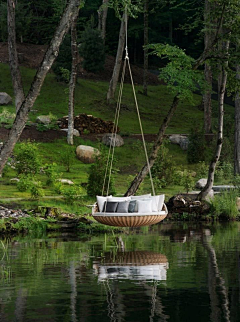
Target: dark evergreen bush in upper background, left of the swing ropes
{"x": 92, "y": 50}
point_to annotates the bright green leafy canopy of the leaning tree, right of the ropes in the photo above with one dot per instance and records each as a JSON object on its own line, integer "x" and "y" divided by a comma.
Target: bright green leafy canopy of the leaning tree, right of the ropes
{"x": 178, "y": 73}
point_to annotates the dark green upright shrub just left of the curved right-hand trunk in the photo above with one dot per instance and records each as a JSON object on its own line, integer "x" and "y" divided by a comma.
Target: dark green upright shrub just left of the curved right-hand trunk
{"x": 196, "y": 147}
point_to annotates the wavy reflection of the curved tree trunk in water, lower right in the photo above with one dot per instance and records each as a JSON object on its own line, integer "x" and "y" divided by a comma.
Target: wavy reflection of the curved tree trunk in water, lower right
{"x": 217, "y": 290}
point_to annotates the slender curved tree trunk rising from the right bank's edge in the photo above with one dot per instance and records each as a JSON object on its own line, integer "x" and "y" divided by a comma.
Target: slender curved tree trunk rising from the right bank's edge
{"x": 222, "y": 88}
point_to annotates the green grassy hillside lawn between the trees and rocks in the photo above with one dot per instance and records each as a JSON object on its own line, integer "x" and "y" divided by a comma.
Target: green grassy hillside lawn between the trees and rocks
{"x": 91, "y": 99}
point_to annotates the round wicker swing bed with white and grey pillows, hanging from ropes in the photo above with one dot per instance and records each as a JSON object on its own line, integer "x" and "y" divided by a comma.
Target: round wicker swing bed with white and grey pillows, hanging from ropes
{"x": 131, "y": 211}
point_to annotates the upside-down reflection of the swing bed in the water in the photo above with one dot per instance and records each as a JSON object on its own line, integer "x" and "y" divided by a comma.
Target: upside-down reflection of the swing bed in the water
{"x": 137, "y": 265}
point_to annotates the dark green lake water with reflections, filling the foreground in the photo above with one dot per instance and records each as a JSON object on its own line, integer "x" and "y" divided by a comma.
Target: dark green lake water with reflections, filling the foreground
{"x": 168, "y": 272}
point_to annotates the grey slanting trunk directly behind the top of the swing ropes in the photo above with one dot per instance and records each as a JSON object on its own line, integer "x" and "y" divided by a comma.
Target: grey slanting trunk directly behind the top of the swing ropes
{"x": 118, "y": 61}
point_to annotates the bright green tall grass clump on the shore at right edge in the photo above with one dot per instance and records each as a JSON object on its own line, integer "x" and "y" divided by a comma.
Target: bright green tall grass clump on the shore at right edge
{"x": 224, "y": 205}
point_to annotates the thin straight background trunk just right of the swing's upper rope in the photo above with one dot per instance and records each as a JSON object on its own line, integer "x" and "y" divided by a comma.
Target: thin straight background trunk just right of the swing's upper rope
{"x": 145, "y": 51}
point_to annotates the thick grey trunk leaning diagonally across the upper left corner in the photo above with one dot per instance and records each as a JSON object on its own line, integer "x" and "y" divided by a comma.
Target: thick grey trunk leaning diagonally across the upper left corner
{"x": 68, "y": 16}
